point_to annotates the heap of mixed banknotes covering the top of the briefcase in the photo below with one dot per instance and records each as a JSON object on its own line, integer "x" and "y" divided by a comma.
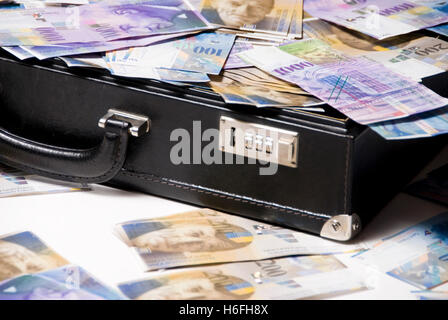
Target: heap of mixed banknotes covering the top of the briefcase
{"x": 365, "y": 59}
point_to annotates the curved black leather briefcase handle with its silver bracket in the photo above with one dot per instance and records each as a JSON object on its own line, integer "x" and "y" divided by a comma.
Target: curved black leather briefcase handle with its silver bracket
{"x": 94, "y": 165}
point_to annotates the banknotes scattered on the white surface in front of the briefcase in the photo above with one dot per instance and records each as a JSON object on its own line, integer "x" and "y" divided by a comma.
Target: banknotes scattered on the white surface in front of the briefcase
{"x": 209, "y": 255}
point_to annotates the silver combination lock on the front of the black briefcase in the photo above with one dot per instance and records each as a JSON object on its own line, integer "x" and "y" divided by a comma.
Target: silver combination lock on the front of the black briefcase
{"x": 257, "y": 141}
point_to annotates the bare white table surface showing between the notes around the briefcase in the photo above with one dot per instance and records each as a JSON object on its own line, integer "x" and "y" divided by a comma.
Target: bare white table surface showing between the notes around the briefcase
{"x": 79, "y": 226}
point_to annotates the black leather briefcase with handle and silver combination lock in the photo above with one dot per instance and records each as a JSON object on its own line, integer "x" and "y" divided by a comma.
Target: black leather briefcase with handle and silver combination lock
{"x": 315, "y": 172}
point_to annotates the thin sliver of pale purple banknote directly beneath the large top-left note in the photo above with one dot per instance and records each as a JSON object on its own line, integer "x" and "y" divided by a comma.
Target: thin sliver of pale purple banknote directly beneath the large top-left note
{"x": 68, "y": 49}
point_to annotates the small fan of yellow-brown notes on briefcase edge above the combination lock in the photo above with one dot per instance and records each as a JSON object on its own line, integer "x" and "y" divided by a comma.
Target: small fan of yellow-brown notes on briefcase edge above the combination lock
{"x": 260, "y": 96}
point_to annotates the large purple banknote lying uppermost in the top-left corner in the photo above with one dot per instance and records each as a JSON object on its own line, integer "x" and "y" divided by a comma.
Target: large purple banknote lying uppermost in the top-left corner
{"x": 100, "y": 22}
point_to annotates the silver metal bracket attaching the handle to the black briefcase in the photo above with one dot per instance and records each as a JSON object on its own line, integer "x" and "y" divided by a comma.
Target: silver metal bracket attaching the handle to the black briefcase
{"x": 140, "y": 124}
